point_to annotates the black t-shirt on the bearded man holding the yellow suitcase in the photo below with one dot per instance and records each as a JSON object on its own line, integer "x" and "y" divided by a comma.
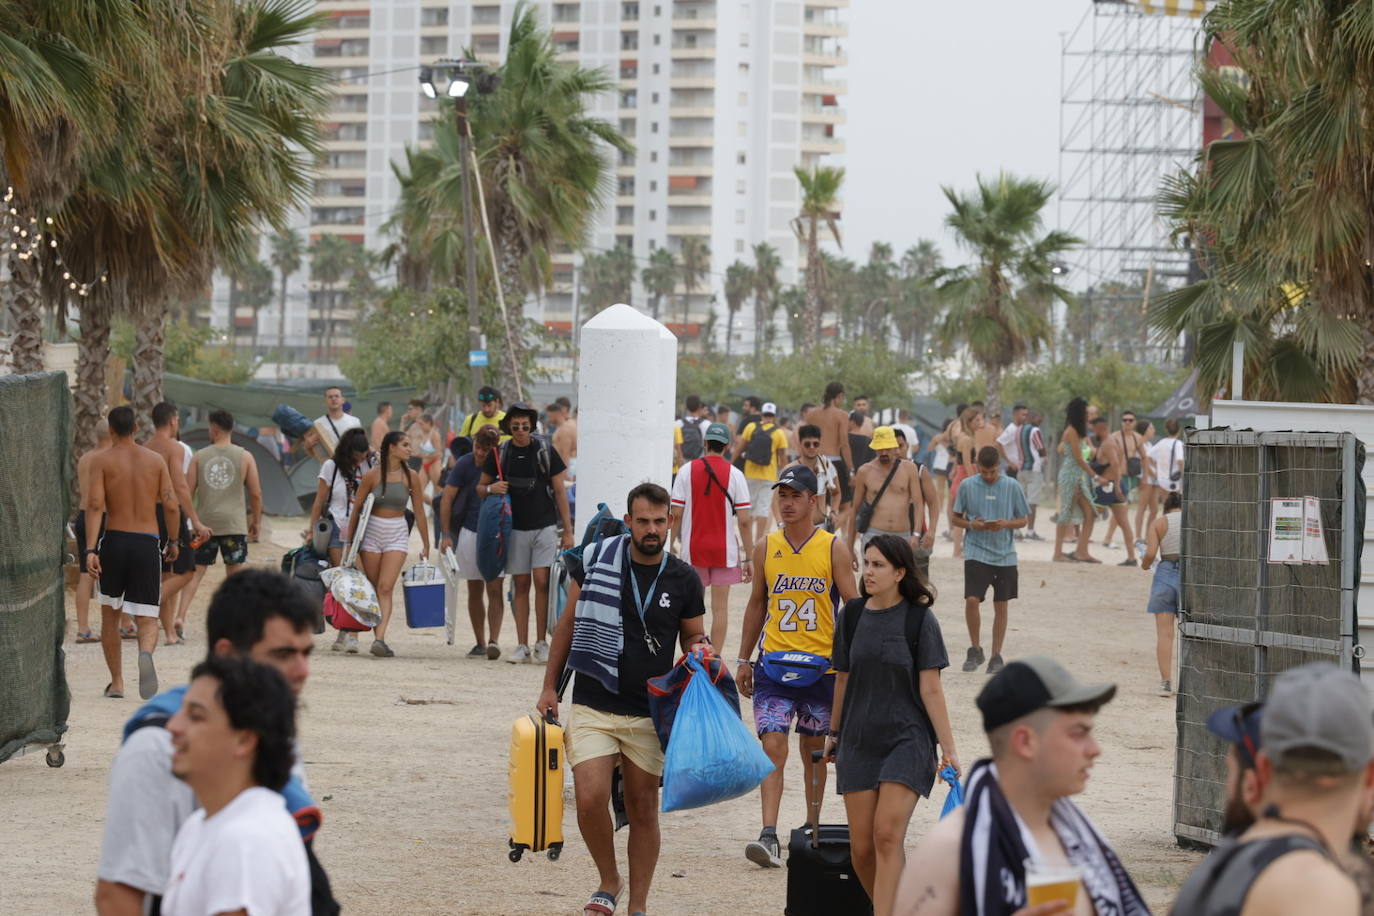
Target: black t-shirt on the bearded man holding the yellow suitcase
{"x": 678, "y": 597}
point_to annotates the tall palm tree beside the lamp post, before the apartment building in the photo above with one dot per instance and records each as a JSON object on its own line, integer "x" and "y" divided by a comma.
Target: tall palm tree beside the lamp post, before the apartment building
{"x": 545, "y": 163}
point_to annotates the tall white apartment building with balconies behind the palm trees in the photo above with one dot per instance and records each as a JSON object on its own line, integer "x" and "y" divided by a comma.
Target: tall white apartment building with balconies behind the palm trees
{"x": 722, "y": 98}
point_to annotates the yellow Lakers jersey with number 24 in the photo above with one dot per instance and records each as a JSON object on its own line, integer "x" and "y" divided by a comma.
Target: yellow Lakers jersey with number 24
{"x": 802, "y": 595}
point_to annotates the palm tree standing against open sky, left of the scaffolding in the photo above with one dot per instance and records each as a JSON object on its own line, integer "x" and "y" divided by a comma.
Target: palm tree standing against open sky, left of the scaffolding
{"x": 998, "y": 306}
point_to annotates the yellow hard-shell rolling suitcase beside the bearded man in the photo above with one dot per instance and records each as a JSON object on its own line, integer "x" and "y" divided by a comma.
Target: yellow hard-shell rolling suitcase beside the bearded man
{"x": 537, "y": 788}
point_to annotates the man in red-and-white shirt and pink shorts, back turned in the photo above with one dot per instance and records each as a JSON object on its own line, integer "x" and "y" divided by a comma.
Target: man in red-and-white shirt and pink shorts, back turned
{"x": 711, "y": 512}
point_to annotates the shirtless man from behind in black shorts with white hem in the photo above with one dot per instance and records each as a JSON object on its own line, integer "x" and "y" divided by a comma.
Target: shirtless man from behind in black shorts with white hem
{"x": 128, "y": 483}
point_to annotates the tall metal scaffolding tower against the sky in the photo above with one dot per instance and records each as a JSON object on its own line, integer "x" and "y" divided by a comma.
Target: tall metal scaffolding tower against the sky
{"x": 1130, "y": 115}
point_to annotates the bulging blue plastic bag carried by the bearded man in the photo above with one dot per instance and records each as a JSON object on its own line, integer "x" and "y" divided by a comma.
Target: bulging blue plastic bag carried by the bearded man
{"x": 712, "y": 756}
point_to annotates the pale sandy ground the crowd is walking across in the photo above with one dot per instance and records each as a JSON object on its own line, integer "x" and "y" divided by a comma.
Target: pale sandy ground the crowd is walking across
{"x": 414, "y": 796}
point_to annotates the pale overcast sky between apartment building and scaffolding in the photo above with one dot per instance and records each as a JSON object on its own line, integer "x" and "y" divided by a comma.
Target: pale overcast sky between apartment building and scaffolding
{"x": 941, "y": 91}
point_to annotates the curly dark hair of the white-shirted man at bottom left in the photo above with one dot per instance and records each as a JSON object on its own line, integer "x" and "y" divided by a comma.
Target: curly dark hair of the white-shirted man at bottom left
{"x": 258, "y": 700}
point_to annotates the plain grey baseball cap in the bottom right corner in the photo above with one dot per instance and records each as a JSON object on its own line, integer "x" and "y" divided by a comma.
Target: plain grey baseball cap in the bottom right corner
{"x": 1320, "y": 707}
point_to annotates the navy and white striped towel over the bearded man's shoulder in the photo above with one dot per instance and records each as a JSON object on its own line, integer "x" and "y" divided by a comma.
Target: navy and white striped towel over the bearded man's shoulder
{"x": 598, "y": 631}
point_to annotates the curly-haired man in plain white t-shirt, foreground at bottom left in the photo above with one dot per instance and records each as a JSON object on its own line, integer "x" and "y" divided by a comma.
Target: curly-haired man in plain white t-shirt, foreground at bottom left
{"x": 233, "y": 745}
